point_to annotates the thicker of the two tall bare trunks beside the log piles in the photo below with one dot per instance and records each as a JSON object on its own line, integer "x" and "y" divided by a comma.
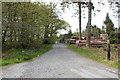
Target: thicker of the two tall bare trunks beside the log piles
{"x": 89, "y": 24}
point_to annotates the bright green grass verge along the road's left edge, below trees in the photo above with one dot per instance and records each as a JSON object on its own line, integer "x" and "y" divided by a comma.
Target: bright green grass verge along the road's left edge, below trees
{"x": 14, "y": 56}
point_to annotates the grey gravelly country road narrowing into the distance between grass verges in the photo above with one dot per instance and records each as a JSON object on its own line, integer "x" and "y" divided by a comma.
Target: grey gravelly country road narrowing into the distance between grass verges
{"x": 60, "y": 62}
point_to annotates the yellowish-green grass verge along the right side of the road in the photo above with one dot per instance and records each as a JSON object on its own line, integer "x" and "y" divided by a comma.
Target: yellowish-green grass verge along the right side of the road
{"x": 95, "y": 54}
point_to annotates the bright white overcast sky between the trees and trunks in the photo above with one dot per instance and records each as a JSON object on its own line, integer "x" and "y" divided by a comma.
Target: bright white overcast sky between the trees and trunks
{"x": 69, "y": 14}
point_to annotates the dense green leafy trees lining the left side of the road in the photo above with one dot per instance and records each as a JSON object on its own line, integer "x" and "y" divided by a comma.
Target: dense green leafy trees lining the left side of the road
{"x": 26, "y": 25}
